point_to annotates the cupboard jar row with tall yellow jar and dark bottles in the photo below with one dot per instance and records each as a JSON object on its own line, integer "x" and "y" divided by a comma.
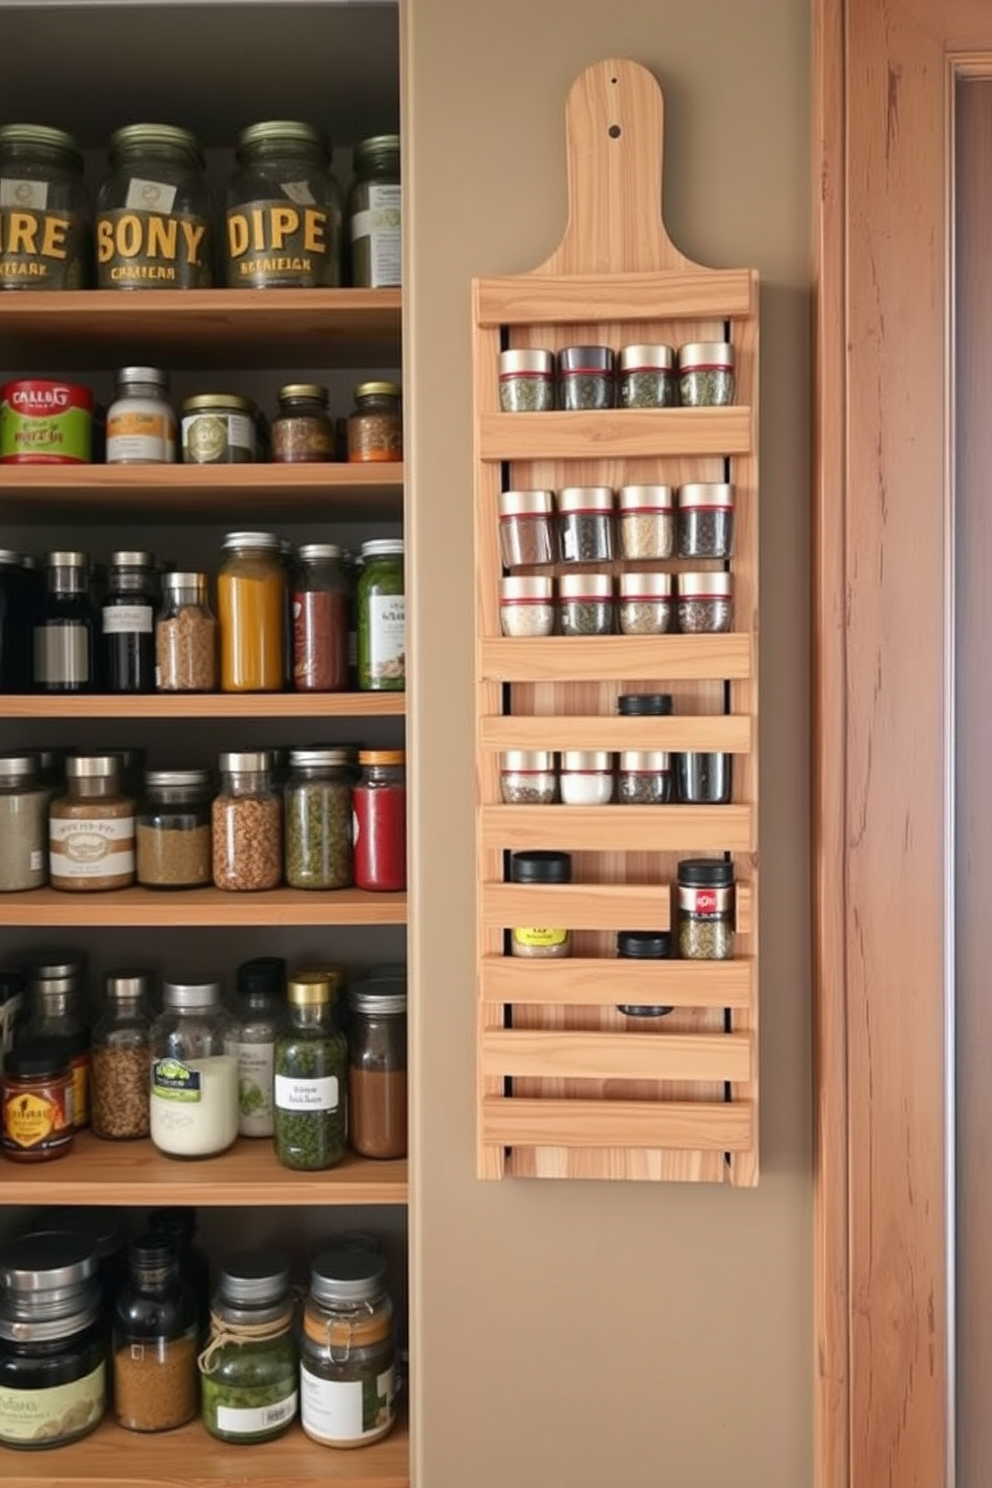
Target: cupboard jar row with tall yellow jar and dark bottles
{"x": 313, "y": 620}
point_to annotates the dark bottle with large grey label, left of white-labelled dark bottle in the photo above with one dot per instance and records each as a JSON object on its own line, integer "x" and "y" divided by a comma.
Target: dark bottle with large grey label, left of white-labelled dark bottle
{"x": 65, "y": 652}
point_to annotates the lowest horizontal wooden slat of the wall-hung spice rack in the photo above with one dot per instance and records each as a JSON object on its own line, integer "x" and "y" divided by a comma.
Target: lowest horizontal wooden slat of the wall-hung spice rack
{"x": 683, "y": 1126}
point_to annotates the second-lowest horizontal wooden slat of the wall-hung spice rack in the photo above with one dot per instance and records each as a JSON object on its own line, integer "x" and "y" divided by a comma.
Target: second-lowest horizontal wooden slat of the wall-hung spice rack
{"x": 567, "y": 1054}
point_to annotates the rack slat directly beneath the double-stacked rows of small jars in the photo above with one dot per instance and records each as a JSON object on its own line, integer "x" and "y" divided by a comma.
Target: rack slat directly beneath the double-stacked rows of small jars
{"x": 606, "y": 658}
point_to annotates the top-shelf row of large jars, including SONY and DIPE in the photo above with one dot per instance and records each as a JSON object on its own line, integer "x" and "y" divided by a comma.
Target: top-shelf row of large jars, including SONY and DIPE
{"x": 285, "y": 224}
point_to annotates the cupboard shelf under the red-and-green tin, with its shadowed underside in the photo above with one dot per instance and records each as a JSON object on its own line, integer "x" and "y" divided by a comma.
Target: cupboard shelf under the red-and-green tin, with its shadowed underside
{"x": 200, "y": 493}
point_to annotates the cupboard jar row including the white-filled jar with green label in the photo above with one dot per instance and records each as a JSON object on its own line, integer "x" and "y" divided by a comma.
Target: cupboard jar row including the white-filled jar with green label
{"x": 307, "y": 1062}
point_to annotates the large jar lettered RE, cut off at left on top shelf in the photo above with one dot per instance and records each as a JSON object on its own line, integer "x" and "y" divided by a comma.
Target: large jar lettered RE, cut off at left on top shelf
{"x": 45, "y": 214}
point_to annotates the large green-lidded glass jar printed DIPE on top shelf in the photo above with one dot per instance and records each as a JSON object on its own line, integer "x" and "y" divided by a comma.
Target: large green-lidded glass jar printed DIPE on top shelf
{"x": 285, "y": 211}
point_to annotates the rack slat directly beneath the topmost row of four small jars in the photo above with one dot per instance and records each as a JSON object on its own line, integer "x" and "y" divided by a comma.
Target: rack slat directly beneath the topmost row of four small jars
{"x": 621, "y": 434}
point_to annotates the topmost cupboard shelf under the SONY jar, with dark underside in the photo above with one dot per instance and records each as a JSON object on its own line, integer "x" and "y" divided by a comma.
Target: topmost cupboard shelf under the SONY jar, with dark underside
{"x": 210, "y": 328}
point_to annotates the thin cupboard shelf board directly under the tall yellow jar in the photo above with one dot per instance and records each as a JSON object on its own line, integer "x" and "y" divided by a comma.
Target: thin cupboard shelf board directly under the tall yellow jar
{"x": 206, "y": 706}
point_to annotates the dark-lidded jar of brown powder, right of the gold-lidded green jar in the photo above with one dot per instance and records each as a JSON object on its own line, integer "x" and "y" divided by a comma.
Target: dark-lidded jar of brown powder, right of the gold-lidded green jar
{"x": 377, "y": 1068}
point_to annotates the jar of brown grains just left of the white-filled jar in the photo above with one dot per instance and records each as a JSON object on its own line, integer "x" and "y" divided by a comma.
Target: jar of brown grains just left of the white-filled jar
{"x": 121, "y": 1060}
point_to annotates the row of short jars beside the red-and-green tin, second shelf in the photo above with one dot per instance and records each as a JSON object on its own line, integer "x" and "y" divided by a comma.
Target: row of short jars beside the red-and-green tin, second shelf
{"x": 47, "y": 422}
